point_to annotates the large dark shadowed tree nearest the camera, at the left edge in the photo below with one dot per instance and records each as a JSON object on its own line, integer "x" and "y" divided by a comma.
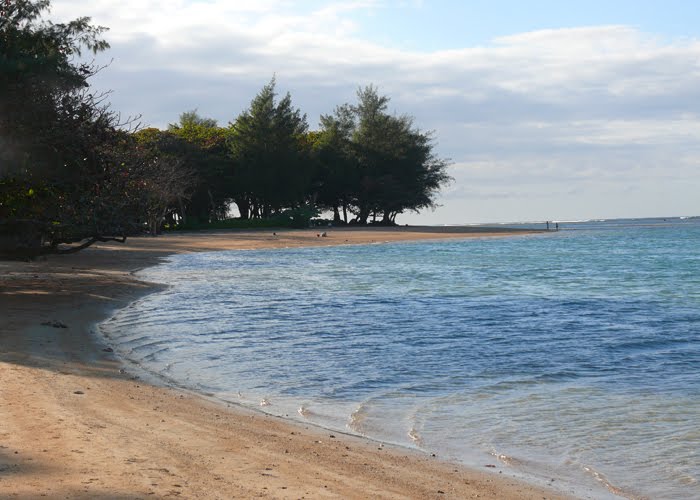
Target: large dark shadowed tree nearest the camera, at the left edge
{"x": 67, "y": 173}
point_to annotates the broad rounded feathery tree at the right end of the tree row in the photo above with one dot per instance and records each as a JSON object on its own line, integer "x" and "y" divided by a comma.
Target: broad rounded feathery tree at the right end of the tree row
{"x": 389, "y": 165}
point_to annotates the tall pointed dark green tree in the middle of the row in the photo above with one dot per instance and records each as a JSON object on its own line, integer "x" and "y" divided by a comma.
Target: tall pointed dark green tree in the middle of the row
{"x": 270, "y": 153}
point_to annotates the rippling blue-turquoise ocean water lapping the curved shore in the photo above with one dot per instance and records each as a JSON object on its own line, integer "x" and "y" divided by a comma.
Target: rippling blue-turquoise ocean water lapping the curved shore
{"x": 572, "y": 355}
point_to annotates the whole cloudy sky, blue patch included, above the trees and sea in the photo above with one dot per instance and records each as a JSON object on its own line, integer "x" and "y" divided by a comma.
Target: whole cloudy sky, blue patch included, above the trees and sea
{"x": 548, "y": 109}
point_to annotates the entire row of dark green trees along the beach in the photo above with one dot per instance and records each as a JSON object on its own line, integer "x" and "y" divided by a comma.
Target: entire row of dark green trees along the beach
{"x": 73, "y": 172}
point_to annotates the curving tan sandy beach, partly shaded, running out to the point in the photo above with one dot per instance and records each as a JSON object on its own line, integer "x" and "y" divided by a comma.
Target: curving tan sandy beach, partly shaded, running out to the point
{"x": 77, "y": 423}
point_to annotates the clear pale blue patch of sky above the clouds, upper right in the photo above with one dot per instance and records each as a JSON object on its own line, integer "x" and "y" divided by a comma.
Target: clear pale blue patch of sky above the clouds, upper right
{"x": 425, "y": 25}
